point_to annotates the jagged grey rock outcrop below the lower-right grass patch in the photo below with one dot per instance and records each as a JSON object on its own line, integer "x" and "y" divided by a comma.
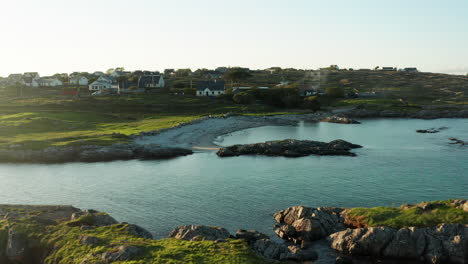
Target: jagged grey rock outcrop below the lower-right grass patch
{"x": 446, "y": 243}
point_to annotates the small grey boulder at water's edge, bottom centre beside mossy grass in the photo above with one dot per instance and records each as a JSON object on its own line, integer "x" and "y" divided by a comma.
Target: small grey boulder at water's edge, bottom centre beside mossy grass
{"x": 199, "y": 232}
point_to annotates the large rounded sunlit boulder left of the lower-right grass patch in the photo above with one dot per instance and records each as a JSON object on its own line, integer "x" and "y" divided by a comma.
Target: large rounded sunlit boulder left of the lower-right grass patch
{"x": 301, "y": 224}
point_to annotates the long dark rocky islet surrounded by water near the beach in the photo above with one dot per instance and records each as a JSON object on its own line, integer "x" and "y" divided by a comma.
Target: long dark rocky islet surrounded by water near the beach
{"x": 291, "y": 148}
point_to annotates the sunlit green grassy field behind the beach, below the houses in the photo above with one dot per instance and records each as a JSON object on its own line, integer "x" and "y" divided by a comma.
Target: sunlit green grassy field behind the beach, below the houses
{"x": 54, "y": 121}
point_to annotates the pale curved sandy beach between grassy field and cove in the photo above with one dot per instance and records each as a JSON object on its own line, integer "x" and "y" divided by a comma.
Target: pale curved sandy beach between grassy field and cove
{"x": 200, "y": 134}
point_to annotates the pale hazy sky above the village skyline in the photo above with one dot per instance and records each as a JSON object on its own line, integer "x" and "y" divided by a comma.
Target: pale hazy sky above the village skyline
{"x": 52, "y": 36}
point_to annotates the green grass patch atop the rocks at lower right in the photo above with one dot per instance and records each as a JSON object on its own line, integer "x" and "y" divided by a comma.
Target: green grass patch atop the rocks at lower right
{"x": 406, "y": 216}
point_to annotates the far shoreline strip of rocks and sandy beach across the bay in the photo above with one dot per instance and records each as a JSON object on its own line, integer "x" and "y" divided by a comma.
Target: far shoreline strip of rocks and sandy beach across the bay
{"x": 199, "y": 134}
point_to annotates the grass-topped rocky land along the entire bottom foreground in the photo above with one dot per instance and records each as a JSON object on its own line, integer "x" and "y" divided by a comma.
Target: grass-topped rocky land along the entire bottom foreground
{"x": 428, "y": 232}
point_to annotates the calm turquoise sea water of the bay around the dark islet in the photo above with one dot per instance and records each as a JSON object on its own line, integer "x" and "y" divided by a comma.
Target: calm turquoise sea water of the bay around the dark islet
{"x": 395, "y": 166}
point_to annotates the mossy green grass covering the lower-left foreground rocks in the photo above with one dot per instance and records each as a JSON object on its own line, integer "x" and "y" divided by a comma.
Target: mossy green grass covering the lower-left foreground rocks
{"x": 62, "y": 242}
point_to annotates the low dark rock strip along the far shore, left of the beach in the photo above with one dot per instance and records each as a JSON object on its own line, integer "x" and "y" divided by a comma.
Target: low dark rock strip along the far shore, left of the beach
{"x": 91, "y": 153}
